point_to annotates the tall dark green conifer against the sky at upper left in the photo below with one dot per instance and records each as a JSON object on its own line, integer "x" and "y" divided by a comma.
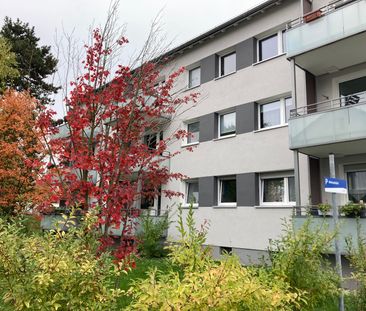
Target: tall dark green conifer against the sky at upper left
{"x": 35, "y": 62}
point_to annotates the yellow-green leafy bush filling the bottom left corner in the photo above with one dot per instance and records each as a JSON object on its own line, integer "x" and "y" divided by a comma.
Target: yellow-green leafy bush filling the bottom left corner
{"x": 56, "y": 271}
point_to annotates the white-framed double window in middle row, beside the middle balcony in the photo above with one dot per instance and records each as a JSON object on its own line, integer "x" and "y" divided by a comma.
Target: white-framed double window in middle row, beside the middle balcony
{"x": 275, "y": 113}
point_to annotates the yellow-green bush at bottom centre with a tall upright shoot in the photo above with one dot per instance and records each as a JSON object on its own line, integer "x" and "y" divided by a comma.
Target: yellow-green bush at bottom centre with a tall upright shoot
{"x": 209, "y": 285}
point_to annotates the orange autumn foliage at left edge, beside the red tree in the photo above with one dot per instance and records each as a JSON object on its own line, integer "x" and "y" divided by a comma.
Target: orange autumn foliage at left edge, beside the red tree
{"x": 20, "y": 151}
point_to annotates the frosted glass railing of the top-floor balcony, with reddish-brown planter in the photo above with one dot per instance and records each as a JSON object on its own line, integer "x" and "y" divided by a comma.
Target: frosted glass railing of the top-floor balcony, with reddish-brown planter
{"x": 338, "y": 20}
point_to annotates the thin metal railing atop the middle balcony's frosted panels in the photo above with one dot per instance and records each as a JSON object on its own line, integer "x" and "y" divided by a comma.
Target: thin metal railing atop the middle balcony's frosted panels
{"x": 330, "y": 105}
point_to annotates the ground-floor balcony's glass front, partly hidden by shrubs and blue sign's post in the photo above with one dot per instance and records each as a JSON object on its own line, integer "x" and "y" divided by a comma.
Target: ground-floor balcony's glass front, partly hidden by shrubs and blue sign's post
{"x": 347, "y": 227}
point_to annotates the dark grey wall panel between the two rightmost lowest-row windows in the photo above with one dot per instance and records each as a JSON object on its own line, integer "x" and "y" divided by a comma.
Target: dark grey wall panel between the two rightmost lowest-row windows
{"x": 247, "y": 189}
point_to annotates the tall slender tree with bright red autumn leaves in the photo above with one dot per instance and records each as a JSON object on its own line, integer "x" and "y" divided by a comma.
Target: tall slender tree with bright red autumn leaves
{"x": 98, "y": 158}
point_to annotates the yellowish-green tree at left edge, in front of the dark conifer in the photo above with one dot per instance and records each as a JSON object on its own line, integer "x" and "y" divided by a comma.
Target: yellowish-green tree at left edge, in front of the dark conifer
{"x": 8, "y": 64}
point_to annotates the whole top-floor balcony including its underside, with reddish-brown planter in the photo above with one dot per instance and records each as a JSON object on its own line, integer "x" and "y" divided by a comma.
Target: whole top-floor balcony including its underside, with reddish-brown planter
{"x": 329, "y": 39}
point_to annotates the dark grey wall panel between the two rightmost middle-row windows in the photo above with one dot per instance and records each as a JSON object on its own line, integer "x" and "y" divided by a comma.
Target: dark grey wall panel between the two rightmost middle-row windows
{"x": 246, "y": 118}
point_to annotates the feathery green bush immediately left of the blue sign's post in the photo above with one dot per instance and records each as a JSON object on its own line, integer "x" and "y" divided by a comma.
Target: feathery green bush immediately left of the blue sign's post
{"x": 298, "y": 258}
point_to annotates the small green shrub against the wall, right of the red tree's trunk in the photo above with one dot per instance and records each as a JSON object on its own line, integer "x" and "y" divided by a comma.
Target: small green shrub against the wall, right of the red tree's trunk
{"x": 151, "y": 238}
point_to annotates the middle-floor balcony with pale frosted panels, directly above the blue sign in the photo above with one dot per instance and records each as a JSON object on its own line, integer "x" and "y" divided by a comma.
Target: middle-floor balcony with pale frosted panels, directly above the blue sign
{"x": 334, "y": 126}
